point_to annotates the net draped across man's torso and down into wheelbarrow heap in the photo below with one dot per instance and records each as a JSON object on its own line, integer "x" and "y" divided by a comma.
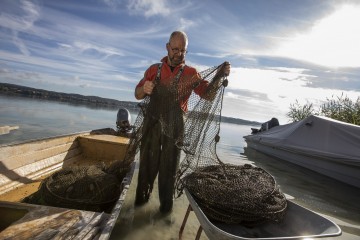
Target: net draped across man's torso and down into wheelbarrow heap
{"x": 225, "y": 192}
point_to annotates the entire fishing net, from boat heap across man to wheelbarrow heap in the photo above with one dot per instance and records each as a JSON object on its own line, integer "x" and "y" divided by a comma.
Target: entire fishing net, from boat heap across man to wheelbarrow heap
{"x": 225, "y": 192}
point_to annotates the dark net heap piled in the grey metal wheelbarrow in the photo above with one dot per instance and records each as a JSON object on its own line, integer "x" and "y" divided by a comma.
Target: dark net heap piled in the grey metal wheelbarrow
{"x": 236, "y": 194}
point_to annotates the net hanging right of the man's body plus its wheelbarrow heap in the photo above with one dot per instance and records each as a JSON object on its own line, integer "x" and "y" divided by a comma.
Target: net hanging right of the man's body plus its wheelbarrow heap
{"x": 227, "y": 193}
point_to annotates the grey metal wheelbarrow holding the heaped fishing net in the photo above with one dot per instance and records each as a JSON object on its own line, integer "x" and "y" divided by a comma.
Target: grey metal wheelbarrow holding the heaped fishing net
{"x": 298, "y": 223}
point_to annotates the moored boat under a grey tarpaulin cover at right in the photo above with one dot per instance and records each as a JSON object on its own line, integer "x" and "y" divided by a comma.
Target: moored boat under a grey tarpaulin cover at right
{"x": 321, "y": 144}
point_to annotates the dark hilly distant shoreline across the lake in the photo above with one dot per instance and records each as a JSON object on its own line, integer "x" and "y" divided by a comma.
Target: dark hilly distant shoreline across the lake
{"x": 90, "y": 101}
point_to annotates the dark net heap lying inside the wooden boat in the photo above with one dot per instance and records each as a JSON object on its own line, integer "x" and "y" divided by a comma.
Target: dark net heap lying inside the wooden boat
{"x": 91, "y": 188}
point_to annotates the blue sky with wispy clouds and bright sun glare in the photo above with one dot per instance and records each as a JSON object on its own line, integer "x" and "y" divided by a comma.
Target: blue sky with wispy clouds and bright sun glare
{"x": 281, "y": 51}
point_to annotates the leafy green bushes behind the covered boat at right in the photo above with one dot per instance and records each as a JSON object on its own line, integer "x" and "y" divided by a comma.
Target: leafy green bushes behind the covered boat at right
{"x": 340, "y": 108}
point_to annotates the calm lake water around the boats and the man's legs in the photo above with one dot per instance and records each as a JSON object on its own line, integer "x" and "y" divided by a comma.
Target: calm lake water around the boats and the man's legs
{"x": 36, "y": 119}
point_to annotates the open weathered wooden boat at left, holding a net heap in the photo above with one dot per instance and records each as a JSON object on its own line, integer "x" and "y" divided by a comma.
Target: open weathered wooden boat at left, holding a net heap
{"x": 23, "y": 166}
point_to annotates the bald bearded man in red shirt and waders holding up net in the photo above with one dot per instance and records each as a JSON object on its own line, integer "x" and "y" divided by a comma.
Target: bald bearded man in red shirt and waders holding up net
{"x": 158, "y": 152}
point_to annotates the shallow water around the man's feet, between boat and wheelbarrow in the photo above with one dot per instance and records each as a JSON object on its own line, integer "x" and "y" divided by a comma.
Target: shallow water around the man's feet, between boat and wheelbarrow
{"x": 146, "y": 222}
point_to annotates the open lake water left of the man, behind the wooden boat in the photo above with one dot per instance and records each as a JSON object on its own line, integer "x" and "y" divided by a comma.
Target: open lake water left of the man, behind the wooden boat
{"x": 39, "y": 118}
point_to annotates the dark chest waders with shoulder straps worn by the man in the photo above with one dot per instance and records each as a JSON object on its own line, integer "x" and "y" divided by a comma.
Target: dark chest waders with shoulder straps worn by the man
{"x": 158, "y": 152}
